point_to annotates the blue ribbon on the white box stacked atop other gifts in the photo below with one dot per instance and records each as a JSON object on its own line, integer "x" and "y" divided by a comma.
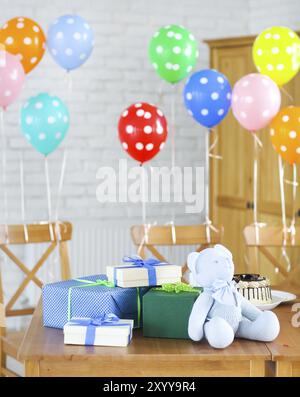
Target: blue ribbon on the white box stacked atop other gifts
{"x": 137, "y": 261}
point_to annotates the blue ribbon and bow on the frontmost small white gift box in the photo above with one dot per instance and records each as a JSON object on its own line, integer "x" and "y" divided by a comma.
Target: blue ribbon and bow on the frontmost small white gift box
{"x": 106, "y": 320}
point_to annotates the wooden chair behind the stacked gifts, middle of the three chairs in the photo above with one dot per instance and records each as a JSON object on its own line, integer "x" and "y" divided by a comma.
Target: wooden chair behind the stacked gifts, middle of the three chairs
{"x": 147, "y": 238}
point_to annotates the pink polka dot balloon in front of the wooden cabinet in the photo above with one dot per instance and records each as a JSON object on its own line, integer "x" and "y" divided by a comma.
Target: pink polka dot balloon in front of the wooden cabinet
{"x": 255, "y": 101}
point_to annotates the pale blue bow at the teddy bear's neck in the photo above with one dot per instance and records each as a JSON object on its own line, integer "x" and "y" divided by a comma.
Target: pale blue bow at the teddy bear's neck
{"x": 225, "y": 292}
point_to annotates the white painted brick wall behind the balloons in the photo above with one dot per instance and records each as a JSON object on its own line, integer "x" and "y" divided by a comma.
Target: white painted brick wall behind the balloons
{"x": 117, "y": 74}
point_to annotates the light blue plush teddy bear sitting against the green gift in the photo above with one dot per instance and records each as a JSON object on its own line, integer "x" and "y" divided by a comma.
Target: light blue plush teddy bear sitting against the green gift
{"x": 220, "y": 313}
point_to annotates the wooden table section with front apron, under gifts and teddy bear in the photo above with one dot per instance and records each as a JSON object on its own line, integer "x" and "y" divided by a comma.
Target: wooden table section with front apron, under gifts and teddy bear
{"x": 45, "y": 354}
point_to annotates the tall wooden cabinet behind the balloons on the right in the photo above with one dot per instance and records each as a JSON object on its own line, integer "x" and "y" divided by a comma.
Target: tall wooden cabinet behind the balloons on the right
{"x": 231, "y": 179}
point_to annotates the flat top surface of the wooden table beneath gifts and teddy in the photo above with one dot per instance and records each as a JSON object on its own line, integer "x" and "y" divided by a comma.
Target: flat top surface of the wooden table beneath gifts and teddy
{"x": 47, "y": 343}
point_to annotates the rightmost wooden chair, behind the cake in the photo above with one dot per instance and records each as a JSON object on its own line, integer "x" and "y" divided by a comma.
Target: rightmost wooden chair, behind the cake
{"x": 272, "y": 236}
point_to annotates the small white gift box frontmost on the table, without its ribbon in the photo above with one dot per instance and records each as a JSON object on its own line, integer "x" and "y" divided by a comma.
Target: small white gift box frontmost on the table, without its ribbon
{"x": 105, "y": 335}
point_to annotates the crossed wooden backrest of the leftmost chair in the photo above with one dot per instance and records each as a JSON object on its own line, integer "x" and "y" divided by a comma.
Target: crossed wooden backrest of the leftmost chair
{"x": 54, "y": 234}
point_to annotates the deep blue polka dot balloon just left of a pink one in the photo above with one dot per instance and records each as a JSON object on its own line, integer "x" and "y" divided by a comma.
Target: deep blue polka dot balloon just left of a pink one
{"x": 207, "y": 96}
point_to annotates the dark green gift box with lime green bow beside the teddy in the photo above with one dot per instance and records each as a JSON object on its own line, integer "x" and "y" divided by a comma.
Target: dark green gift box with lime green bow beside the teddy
{"x": 166, "y": 311}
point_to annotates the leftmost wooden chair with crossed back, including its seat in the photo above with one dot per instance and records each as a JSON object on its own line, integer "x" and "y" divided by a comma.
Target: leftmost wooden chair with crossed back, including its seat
{"x": 37, "y": 233}
